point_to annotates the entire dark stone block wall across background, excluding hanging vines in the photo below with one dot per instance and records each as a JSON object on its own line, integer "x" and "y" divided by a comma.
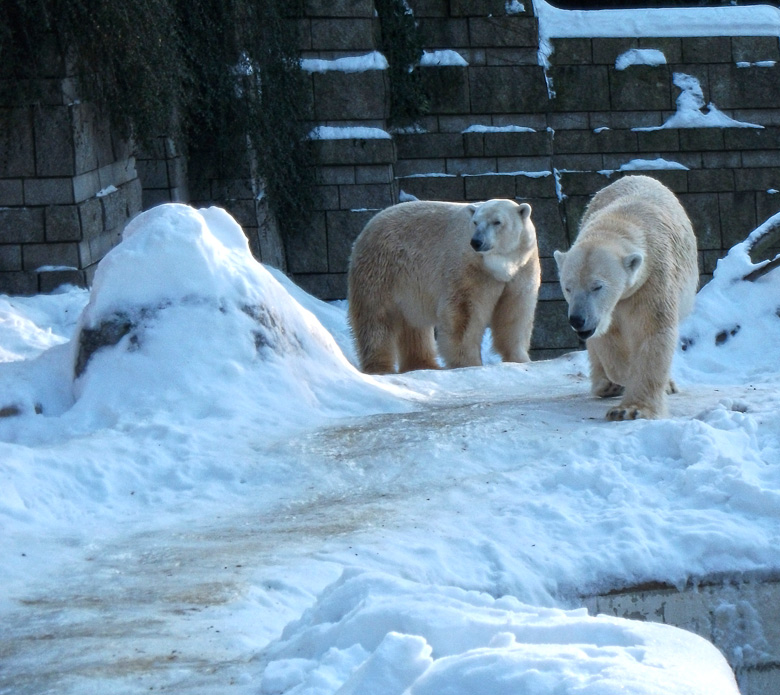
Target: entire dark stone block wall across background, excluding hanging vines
{"x": 500, "y": 125}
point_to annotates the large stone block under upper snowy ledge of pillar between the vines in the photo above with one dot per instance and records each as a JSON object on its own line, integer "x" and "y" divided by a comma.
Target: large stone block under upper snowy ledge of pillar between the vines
{"x": 356, "y": 95}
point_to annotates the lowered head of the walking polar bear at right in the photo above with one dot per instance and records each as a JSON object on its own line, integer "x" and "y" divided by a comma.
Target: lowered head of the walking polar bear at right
{"x": 594, "y": 277}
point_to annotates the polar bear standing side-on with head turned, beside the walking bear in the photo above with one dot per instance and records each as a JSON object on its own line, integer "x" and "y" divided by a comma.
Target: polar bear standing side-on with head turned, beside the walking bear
{"x": 421, "y": 269}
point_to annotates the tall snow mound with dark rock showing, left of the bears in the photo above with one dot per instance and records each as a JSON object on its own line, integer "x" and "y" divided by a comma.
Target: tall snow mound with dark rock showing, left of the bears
{"x": 182, "y": 318}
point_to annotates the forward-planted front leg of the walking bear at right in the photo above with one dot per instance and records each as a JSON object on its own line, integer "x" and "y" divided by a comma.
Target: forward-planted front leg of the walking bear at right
{"x": 648, "y": 379}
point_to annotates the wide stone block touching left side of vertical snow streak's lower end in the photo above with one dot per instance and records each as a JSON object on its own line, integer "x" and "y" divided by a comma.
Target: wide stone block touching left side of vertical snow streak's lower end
{"x": 507, "y": 89}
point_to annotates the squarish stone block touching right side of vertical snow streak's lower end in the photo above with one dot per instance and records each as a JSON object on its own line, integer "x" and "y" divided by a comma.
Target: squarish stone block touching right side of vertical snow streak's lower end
{"x": 578, "y": 88}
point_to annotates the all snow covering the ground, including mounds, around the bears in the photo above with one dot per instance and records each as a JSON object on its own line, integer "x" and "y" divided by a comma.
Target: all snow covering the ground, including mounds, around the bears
{"x": 221, "y": 498}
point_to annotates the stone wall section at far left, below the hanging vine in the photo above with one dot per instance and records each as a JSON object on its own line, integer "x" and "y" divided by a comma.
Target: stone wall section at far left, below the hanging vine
{"x": 68, "y": 186}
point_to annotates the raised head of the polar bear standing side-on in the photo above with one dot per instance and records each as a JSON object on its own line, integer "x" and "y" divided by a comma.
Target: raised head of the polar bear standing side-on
{"x": 503, "y": 234}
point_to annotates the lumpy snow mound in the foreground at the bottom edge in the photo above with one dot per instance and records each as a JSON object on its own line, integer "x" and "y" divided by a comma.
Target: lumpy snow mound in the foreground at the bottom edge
{"x": 372, "y": 633}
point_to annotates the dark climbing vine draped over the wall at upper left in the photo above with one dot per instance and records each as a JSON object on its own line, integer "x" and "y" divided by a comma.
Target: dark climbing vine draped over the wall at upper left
{"x": 216, "y": 74}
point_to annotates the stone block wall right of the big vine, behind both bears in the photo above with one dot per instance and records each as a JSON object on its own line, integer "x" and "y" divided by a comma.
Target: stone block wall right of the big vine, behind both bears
{"x": 575, "y": 124}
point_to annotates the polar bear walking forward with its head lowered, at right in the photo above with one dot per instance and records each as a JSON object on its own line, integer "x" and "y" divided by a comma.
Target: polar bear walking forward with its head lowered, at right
{"x": 629, "y": 279}
